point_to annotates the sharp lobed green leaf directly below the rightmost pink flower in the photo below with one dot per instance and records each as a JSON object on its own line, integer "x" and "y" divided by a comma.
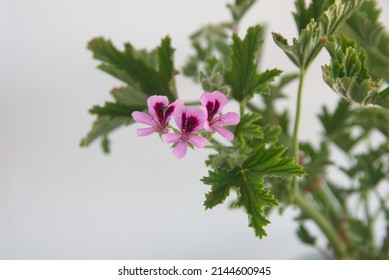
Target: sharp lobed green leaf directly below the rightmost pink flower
{"x": 247, "y": 178}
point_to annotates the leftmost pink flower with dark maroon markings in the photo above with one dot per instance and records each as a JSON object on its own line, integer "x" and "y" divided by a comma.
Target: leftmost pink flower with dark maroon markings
{"x": 160, "y": 114}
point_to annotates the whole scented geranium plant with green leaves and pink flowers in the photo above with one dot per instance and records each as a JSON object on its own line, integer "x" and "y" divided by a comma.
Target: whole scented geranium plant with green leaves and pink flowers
{"x": 263, "y": 159}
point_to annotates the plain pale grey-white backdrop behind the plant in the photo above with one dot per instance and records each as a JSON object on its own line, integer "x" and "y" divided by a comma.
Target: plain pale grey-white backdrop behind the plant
{"x": 60, "y": 201}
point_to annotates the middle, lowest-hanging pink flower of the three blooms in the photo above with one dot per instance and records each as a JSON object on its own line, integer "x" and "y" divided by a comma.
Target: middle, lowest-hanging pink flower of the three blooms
{"x": 189, "y": 121}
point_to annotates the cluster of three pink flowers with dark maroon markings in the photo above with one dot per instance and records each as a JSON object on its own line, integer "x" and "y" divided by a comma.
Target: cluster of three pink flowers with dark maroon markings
{"x": 190, "y": 121}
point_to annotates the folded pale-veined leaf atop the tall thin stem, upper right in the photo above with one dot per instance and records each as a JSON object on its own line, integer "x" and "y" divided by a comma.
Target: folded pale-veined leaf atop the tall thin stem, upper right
{"x": 304, "y": 49}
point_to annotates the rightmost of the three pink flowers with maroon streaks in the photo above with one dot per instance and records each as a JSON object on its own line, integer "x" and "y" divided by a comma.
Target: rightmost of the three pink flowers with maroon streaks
{"x": 213, "y": 105}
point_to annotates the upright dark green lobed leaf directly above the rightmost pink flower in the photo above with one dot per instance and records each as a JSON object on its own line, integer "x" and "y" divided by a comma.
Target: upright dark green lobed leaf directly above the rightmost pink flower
{"x": 243, "y": 76}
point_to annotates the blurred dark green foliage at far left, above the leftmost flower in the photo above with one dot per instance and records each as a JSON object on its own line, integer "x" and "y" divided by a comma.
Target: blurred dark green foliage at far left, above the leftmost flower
{"x": 145, "y": 73}
